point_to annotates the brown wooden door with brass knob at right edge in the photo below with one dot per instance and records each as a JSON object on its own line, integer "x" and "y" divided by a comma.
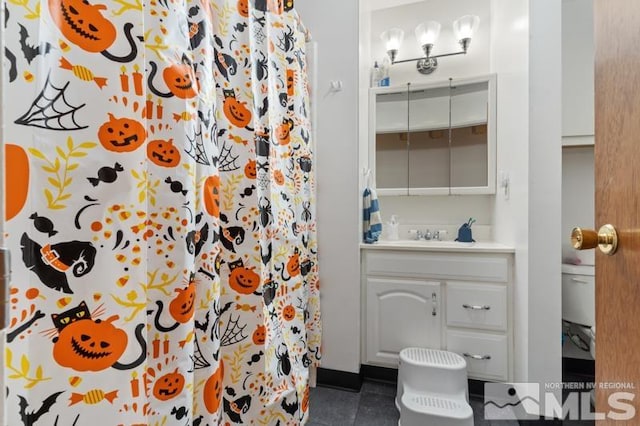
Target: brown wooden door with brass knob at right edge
{"x": 617, "y": 158}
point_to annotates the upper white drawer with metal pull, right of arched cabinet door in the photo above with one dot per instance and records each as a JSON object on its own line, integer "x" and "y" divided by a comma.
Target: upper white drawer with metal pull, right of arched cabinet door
{"x": 477, "y": 305}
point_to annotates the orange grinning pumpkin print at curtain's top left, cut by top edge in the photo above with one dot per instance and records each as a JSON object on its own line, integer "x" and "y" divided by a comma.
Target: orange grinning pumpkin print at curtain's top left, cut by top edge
{"x": 83, "y": 24}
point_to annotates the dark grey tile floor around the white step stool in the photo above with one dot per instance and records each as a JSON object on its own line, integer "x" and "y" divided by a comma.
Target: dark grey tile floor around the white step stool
{"x": 374, "y": 406}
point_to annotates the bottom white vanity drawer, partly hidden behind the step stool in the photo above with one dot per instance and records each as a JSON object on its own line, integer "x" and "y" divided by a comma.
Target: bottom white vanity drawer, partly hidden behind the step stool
{"x": 486, "y": 354}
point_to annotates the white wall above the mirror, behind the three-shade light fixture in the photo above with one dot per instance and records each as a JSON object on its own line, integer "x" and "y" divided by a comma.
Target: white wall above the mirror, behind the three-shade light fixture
{"x": 407, "y": 17}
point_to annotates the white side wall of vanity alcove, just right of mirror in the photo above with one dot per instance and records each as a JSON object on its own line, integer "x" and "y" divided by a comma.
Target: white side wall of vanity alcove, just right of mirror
{"x": 510, "y": 61}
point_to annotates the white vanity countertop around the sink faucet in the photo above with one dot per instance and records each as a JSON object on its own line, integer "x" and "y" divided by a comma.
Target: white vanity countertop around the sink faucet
{"x": 439, "y": 246}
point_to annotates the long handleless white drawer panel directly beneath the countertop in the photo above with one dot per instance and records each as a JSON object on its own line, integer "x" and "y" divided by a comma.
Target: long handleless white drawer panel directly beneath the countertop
{"x": 474, "y": 267}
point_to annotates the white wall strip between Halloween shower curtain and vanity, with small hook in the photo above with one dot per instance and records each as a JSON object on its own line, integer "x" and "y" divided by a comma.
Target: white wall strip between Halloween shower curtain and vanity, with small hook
{"x": 333, "y": 25}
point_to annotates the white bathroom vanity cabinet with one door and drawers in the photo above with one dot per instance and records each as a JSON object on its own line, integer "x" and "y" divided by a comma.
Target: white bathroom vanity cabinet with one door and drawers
{"x": 458, "y": 300}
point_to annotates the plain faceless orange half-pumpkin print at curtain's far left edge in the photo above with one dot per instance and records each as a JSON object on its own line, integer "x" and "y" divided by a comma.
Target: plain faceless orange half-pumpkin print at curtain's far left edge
{"x": 16, "y": 177}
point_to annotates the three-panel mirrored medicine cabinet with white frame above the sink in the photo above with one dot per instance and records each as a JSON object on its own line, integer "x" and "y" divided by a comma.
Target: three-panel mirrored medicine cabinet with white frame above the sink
{"x": 434, "y": 139}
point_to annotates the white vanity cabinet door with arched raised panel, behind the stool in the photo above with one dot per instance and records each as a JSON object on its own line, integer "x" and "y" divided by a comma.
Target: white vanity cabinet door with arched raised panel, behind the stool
{"x": 400, "y": 314}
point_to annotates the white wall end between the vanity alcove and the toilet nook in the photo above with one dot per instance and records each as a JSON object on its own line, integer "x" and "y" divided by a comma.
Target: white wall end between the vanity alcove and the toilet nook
{"x": 545, "y": 198}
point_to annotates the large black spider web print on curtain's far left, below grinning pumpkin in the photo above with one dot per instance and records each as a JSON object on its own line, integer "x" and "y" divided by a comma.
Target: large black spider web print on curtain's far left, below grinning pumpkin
{"x": 51, "y": 110}
